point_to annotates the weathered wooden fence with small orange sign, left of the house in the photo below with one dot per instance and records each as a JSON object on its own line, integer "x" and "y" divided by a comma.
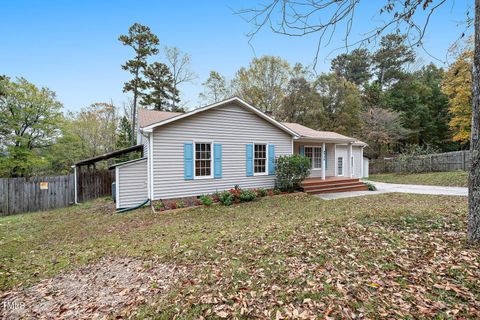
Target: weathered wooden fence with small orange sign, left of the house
{"x": 19, "y": 195}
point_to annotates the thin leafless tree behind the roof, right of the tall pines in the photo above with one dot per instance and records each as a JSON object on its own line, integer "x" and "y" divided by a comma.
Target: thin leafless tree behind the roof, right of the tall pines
{"x": 180, "y": 66}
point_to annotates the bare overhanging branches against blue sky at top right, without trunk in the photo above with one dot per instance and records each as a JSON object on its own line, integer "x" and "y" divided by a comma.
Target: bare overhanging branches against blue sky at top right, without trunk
{"x": 298, "y": 18}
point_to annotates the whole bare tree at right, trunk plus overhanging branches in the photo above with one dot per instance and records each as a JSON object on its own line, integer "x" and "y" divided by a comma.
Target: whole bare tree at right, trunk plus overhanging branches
{"x": 411, "y": 18}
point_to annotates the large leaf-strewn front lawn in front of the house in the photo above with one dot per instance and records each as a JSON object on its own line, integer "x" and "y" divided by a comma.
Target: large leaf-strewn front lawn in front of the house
{"x": 391, "y": 255}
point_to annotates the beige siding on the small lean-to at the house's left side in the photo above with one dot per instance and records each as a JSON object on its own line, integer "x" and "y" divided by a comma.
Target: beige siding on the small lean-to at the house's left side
{"x": 132, "y": 184}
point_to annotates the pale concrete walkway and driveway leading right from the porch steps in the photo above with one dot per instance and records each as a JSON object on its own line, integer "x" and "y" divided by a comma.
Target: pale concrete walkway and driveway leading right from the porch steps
{"x": 402, "y": 188}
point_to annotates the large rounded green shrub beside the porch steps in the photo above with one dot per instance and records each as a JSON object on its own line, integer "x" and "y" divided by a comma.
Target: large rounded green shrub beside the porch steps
{"x": 291, "y": 170}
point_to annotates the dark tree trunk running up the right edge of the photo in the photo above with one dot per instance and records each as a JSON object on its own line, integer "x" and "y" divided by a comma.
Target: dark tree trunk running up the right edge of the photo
{"x": 474, "y": 180}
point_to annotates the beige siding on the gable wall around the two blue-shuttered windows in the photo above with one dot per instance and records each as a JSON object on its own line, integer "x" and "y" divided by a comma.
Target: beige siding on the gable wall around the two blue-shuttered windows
{"x": 230, "y": 125}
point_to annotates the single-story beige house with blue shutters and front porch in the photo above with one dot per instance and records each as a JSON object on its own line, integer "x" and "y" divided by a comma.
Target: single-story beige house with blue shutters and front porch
{"x": 224, "y": 144}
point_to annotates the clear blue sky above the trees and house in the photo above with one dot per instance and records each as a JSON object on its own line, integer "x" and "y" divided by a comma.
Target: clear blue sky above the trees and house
{"x": 72, "y": 47}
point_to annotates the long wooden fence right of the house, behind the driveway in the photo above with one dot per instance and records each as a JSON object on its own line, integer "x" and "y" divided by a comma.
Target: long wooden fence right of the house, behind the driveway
{"x": 447, "y": 161}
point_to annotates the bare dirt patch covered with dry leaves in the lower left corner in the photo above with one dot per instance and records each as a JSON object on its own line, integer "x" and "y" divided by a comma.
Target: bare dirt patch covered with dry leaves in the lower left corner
{"x": 113, "y": 286}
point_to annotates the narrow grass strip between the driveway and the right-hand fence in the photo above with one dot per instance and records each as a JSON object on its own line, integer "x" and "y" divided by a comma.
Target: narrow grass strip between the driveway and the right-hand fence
{"x": 449, "y": 179}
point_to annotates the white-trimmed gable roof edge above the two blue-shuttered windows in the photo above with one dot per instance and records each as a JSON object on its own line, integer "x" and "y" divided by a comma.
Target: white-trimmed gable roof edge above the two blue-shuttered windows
{"x": 238, "y": 101}
